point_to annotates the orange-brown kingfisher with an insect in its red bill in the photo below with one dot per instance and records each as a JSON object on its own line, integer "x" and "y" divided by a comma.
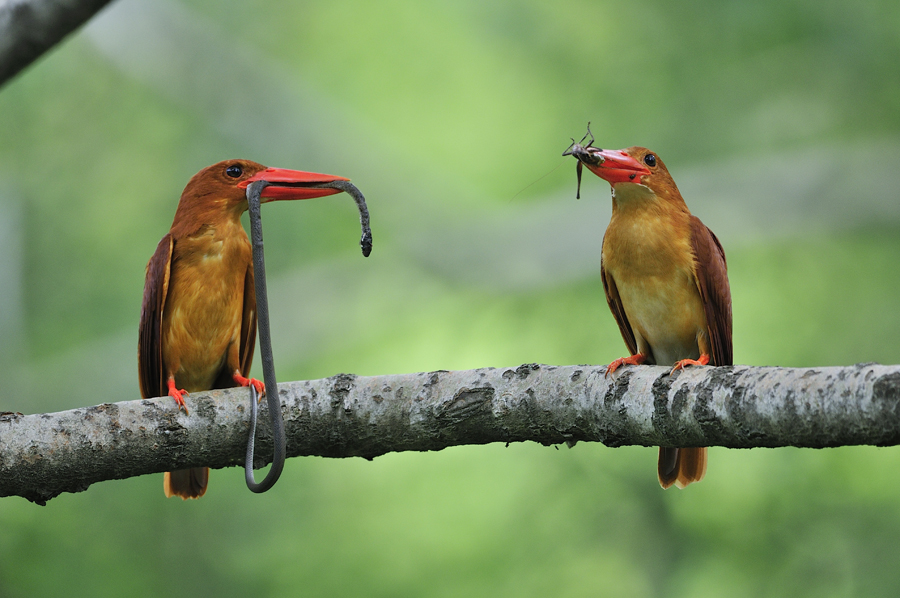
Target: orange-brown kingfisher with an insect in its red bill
{"x": 665, "y": 277}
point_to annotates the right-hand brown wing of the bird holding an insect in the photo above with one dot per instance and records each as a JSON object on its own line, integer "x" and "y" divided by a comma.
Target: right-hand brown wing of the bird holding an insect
{"x": 712, "y": 278}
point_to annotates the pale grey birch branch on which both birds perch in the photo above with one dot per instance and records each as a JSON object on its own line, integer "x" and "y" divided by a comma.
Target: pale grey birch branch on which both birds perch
{"x": 44, "y": 455}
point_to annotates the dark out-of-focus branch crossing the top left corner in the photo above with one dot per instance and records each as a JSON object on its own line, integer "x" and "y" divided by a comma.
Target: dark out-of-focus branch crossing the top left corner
{"x": 28, "y": 28}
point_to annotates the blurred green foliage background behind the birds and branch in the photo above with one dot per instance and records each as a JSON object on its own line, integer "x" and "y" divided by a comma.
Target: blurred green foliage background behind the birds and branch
{"x": 779, "y": 120}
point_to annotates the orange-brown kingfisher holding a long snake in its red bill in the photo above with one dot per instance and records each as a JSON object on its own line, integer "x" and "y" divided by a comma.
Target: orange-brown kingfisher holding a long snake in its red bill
{"x": 198, "y": 315}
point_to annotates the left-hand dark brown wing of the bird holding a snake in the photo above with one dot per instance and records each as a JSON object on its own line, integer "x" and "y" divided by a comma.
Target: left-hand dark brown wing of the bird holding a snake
{"x": 151, "y": 372}
